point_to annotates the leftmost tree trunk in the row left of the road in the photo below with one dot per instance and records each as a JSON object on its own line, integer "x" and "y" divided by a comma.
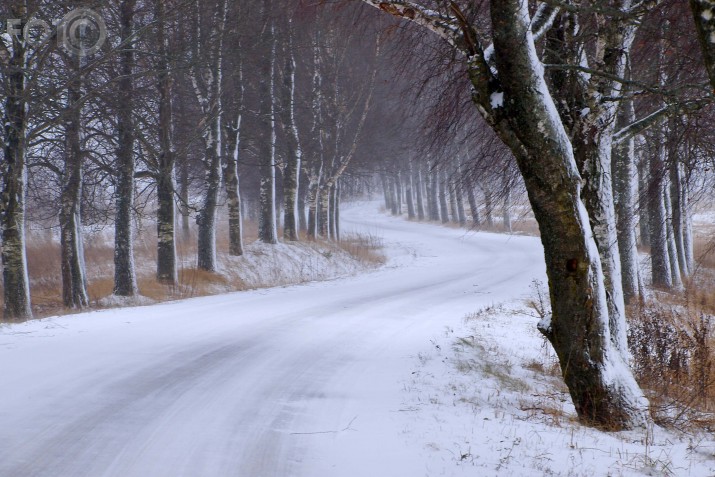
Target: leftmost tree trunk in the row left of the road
{"x": 16, "y": 284}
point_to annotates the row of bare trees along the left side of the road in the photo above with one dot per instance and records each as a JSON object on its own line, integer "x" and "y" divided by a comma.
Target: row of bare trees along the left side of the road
{"x": 181, "y": 100}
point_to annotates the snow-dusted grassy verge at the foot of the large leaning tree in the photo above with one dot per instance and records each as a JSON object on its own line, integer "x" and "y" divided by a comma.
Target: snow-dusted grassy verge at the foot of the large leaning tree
{"x": 488, "y": 399}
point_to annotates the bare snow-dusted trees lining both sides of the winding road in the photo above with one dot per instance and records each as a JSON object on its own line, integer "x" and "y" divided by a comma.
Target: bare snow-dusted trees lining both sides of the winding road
{"x": 597, "y": 112}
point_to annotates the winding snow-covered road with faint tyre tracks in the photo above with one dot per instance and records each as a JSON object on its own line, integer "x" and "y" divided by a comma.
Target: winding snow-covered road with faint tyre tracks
{"x": 305, "y": 380}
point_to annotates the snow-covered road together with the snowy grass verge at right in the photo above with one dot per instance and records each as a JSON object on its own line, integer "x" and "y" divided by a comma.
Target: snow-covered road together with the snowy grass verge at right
{"x": 371, "y": 375}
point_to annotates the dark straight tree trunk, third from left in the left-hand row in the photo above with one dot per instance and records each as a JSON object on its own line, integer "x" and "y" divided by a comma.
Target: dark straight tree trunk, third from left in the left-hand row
{"x": 125, "y": 282}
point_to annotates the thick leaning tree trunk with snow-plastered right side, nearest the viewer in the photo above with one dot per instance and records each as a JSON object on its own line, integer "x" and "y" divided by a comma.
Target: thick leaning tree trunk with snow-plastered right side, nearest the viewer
{"x": 602, "y": 387}
